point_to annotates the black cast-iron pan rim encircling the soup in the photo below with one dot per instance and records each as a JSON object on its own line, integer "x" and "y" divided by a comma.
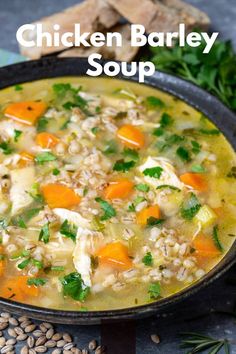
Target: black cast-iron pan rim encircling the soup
{"x": 196, "y": 97}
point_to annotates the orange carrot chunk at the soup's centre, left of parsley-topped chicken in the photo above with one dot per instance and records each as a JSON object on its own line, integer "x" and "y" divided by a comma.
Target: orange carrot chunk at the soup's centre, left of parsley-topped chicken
{"x": 119, "y": 188}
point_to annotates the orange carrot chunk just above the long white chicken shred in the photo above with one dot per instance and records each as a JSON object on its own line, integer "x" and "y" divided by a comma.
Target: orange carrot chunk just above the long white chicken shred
{"x": 60, "y": 196}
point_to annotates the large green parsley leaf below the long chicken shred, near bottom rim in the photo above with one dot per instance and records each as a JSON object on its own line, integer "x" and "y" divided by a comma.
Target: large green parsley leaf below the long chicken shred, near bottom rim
{"x": 74, "y": 287}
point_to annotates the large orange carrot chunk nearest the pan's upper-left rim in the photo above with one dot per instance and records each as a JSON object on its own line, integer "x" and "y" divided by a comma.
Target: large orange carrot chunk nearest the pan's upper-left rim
{"x": 26, "y": 112}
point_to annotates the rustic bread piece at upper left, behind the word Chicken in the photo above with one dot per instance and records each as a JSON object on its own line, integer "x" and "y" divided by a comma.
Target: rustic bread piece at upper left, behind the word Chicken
{"x": 92, "y": 15}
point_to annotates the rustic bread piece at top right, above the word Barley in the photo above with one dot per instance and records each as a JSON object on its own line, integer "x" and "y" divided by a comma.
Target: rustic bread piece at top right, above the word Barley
{"x": 161, "y": 15}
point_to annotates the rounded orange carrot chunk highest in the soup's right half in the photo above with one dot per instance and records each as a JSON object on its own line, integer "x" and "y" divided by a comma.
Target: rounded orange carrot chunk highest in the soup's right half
{"x": 131, "y": 136}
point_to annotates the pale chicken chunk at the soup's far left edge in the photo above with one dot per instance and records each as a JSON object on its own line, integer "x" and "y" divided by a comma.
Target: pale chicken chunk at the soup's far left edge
{"x": 21, "y": 183}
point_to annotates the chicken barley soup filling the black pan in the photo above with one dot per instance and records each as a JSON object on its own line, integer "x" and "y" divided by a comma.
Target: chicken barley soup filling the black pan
{"x": 113, "y": 194}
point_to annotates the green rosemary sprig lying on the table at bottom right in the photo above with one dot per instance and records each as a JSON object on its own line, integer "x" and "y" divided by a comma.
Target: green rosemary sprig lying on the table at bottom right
{"x": 198, "y": 342}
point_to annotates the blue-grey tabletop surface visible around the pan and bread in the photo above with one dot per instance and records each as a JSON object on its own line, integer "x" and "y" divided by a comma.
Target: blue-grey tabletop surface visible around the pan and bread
{"x": 194, "y": 314}
